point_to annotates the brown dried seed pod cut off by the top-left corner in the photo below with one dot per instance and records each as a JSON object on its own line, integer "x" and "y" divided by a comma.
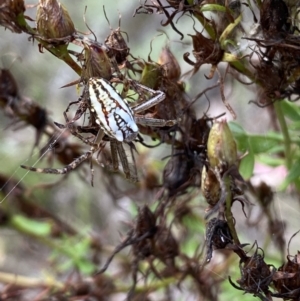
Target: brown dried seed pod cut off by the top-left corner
{"x": 9, "y": 12}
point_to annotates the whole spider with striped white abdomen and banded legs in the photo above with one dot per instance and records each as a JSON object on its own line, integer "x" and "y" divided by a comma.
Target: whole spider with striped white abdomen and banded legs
{"x": 112, "y": 116}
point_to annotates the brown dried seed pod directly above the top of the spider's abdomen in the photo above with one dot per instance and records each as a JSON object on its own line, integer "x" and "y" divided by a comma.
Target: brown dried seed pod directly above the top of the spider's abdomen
{"x": 97, "y": 63}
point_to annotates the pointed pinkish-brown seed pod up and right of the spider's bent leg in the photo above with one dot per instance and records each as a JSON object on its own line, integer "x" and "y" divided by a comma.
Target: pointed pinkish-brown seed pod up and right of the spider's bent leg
{"x": 170, "y": 64}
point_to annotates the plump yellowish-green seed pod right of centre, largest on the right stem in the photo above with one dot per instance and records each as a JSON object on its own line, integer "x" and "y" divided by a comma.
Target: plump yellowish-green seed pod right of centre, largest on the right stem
{"x": 221, "y": 147}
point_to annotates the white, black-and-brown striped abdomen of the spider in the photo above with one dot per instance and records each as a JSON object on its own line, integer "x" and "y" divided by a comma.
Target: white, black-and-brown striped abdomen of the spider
{"x": 113, "y": 114}
